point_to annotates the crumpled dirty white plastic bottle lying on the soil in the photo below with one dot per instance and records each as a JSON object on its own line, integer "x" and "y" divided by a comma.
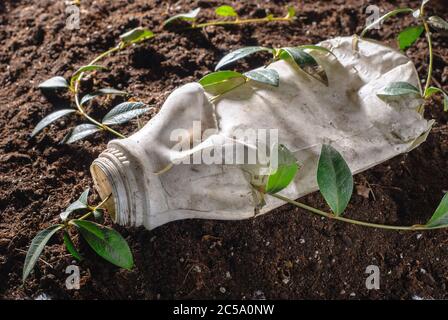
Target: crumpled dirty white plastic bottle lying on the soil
{"x": 347, "y": 114}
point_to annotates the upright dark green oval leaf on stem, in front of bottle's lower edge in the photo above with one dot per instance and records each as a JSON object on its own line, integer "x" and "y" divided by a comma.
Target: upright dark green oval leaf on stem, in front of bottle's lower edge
{"x": 335, "y": 179}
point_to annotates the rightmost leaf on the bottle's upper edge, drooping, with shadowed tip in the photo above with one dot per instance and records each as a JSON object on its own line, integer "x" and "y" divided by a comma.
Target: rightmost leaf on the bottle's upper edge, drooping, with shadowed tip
{"x": 306, "y": 62}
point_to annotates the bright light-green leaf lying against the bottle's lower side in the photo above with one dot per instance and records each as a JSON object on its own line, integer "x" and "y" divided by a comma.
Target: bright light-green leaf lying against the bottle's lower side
{"x": 286, "y": 168}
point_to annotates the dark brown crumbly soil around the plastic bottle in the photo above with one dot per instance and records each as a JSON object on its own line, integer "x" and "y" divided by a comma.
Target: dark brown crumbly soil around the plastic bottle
{"x": 286, "y": 254}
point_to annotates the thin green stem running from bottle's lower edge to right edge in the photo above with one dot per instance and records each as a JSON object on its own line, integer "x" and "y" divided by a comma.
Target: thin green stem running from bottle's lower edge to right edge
{"x": 352, "y": 221}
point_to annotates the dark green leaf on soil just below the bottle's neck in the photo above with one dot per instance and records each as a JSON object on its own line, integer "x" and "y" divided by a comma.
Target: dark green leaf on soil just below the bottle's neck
{"x": 106, "y": 242}
